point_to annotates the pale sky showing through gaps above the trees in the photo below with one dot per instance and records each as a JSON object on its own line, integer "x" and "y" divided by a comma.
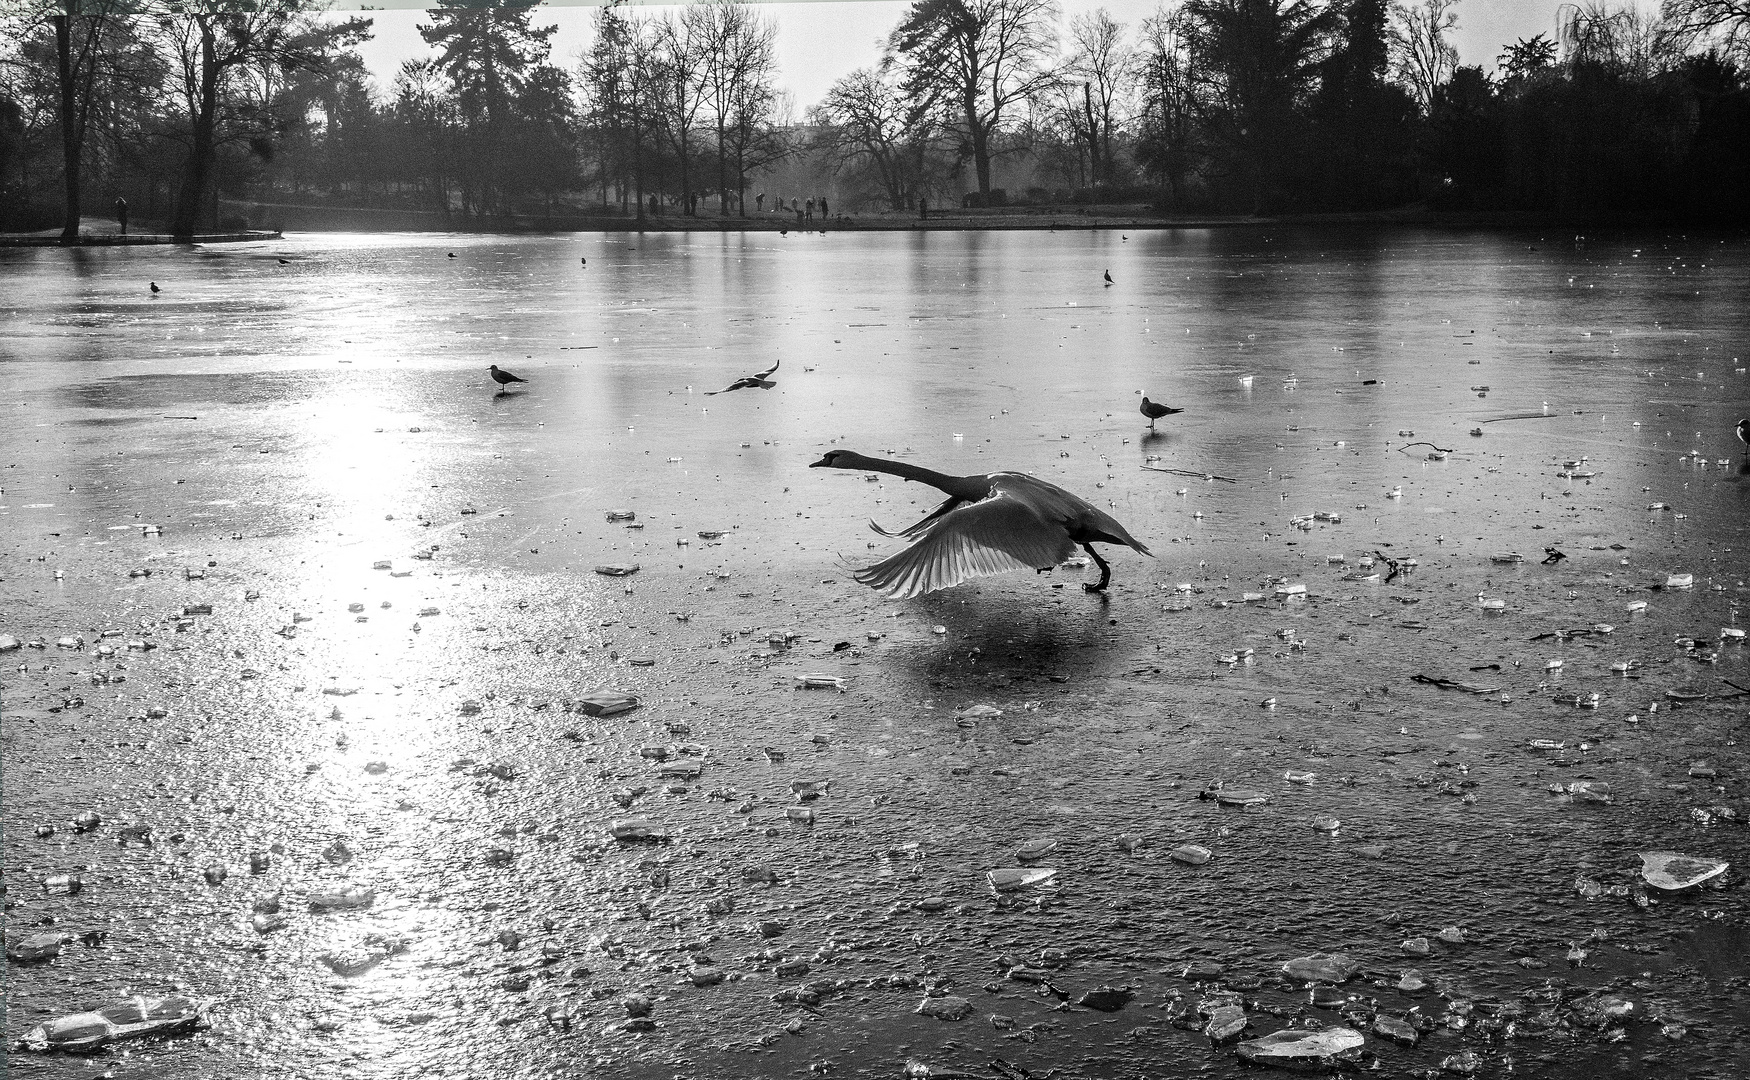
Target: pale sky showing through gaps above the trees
{"x": 820, "y": 43}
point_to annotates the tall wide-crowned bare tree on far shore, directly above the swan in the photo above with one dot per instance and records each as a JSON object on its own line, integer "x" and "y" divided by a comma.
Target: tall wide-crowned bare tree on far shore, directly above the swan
{"x": 977, "y": 62}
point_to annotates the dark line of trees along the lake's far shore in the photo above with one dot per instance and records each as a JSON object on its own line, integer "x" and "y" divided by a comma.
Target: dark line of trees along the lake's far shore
{"x": 1210, "y": 106}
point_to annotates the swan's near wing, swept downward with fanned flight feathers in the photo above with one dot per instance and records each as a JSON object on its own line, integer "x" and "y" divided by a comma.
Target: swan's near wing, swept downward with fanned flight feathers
{"x": 993, "y": 536}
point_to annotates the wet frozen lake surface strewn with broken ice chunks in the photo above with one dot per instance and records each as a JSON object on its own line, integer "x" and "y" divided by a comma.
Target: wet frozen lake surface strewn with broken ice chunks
{"x": 290, "y": 426}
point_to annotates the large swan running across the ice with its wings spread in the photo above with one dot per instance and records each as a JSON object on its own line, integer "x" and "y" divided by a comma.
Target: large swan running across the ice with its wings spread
{"x": 991, "y": 524}
